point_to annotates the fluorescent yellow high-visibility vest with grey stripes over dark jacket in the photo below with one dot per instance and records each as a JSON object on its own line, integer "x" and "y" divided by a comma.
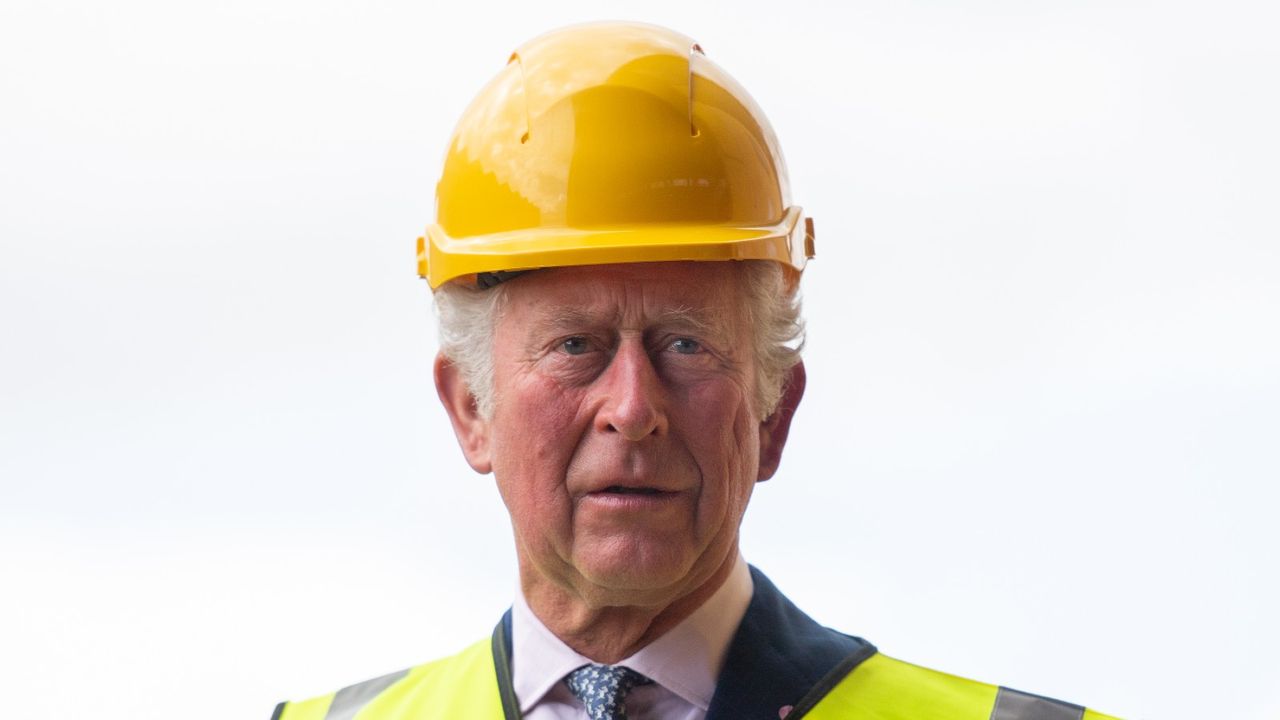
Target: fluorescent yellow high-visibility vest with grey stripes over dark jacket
{"x": 474, "y": 685}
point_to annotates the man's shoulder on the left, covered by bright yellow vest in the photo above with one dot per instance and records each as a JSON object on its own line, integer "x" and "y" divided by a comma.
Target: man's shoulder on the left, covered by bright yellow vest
{"x": 428, "y": 691}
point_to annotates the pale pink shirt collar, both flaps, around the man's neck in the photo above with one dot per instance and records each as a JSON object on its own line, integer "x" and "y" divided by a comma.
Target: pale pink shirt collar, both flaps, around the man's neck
{"x": 685, "y": 660}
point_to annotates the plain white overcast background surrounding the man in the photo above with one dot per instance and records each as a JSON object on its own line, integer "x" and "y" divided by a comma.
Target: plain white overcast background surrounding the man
{"x": 1040, "y": 441}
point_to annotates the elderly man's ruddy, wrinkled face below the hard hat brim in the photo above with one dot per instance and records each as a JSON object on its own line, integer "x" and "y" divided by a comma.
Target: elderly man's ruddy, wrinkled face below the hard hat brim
{"x": 625, "y": 439}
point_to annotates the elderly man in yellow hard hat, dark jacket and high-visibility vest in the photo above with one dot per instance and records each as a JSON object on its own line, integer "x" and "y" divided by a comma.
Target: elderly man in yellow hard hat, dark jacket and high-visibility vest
{"x": 616, "y": 270}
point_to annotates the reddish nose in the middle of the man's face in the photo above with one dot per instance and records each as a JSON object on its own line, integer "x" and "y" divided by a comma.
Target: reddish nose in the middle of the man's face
{"x": 633, "y": 400}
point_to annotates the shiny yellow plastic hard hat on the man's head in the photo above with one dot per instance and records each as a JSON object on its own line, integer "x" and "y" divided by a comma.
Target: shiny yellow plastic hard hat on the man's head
{"x": 611, "y": 143}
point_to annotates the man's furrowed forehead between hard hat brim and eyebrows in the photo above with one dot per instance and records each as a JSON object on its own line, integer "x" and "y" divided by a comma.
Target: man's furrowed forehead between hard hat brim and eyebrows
{"x": 634, "y": 291}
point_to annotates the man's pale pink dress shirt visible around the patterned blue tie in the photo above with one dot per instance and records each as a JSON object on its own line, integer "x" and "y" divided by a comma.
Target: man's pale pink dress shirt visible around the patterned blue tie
{"x": 683, "y": 664}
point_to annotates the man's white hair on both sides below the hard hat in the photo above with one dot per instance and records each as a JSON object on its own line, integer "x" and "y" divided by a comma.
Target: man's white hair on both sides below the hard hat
{"x": 469, "y": 316}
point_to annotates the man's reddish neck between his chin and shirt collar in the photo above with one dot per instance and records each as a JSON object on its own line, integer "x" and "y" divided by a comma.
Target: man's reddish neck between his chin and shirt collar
{"x": 611, "y": 634}
